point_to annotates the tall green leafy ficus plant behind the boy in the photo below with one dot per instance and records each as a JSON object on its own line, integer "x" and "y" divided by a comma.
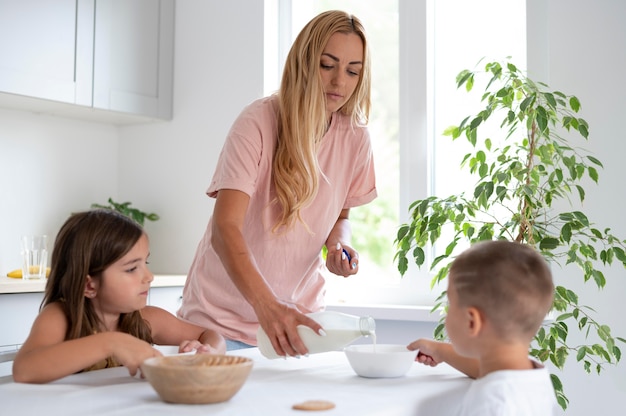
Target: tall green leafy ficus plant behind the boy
{"x": 522, "y": 178}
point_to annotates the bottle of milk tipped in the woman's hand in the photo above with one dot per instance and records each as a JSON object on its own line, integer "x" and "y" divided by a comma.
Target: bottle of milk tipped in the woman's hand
{"x": 341, "y": 329}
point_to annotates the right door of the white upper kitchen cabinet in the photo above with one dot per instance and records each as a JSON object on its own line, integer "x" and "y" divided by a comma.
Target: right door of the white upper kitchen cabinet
{"x": 133, "y": 56}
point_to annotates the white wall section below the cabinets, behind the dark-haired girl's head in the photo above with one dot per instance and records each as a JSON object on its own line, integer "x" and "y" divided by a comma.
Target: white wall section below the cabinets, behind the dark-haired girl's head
{"x": 49, "y": 167}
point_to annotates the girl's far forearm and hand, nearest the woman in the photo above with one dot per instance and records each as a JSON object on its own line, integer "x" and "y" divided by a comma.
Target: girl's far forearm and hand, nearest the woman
{"x": 167, "y": 329}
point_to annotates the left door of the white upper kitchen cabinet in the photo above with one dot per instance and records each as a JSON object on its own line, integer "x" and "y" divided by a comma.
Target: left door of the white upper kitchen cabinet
{"x": 46, "y": 49}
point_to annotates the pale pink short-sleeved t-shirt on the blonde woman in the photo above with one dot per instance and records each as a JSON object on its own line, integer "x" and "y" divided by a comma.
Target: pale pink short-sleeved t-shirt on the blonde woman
{"x": 290, "y": 262}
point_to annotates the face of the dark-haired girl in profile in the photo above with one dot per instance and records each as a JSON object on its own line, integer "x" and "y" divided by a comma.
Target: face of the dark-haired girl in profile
{"x": 123, "y": 286}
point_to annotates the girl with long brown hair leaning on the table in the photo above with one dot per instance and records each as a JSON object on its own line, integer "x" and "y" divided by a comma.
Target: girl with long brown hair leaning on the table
{"x": 94, "y": 312}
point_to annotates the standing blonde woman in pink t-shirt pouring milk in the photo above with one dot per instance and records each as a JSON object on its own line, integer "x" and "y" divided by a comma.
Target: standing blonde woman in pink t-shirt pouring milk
{"x": 292, "y": 166}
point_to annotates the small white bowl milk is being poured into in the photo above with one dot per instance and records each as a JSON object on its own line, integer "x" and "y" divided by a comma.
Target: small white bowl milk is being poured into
{"x": 381, "y": 360}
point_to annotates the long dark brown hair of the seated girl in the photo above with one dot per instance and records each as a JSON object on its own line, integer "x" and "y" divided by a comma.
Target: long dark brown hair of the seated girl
{"x": 87, "y": 244}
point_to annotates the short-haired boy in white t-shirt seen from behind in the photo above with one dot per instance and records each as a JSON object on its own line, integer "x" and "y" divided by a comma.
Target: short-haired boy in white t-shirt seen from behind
{"x": 499, "y": 292}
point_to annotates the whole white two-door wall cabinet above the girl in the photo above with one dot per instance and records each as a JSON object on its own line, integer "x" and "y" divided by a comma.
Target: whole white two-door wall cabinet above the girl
{"x": 111, "y": 55}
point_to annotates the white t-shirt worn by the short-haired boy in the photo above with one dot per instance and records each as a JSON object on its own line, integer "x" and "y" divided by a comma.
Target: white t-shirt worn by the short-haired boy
{"x": 511, "y": 393}
